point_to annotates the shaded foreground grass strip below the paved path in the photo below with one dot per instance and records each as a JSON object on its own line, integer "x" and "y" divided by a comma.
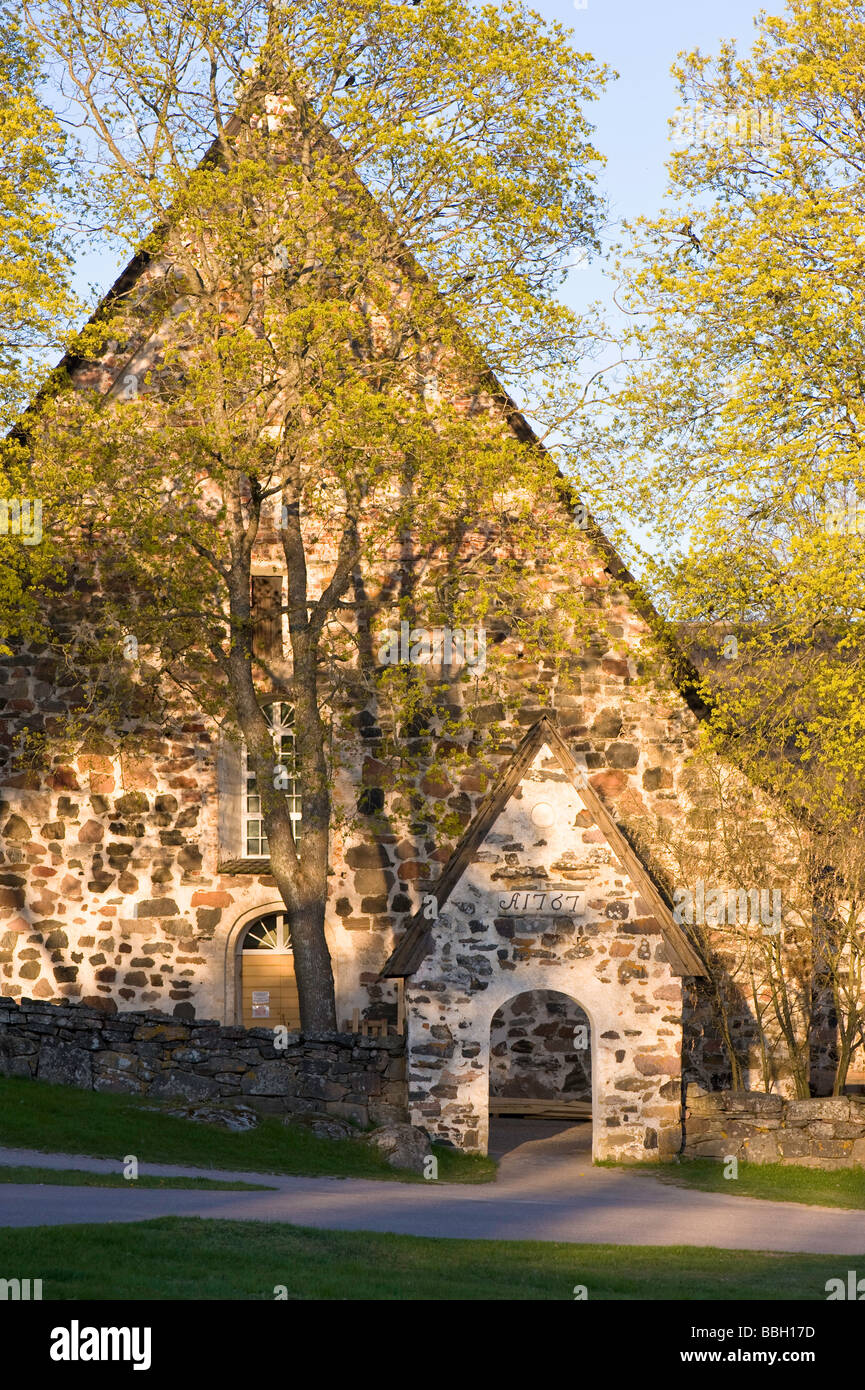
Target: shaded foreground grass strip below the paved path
{"x": 197, "y": 1259}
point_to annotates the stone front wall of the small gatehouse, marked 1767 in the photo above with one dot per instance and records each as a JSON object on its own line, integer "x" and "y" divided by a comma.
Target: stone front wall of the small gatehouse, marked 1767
{"x": 546, "y": 906}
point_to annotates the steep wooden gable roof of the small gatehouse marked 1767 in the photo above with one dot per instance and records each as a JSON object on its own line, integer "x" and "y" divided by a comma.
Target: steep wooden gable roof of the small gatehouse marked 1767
{"x": 418, "y": 940}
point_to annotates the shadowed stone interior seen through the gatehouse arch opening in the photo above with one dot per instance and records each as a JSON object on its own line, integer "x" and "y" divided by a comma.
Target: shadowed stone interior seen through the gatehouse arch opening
{"x": 540, "y": 1049}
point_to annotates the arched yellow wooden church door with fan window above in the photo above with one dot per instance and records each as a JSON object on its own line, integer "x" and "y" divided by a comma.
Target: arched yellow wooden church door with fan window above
{"x": 269, "y": 990}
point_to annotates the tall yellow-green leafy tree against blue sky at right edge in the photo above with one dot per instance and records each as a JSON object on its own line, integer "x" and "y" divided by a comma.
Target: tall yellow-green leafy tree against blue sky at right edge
{"x": 731, "y": 443}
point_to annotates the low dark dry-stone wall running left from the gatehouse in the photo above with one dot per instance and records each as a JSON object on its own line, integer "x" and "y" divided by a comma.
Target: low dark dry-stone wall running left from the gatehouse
{"x": 149, "y": 1054}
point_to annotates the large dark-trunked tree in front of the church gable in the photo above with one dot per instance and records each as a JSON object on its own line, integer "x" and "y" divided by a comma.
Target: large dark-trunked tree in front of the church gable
{"x": 357, "y": 208}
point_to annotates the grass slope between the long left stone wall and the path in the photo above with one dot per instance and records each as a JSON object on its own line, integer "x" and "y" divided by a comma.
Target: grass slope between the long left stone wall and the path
{"x": 59, "y": 1120}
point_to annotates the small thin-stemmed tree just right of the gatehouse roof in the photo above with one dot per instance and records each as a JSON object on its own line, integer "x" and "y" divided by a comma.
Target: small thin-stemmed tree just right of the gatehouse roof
{"x": 736, "y": 864}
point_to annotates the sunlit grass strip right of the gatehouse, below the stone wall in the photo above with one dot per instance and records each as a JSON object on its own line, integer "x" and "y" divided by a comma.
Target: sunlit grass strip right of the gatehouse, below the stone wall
{"x": 777, "y": 1182}
